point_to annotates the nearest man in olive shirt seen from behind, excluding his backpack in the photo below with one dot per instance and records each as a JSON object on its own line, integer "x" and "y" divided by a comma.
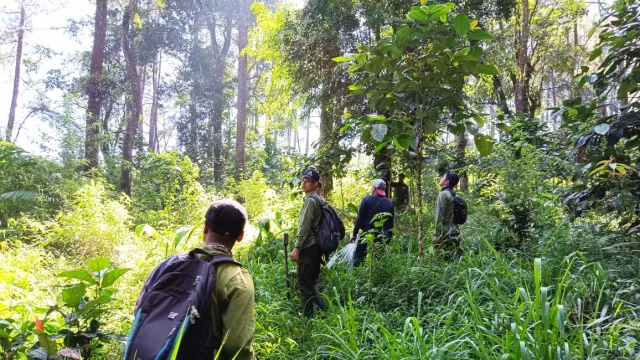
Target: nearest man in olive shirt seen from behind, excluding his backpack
{"x": 232, "y": 298}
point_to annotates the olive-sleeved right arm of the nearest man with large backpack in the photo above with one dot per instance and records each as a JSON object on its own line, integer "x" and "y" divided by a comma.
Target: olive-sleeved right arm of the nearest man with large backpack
{"x": 238, "y": 319}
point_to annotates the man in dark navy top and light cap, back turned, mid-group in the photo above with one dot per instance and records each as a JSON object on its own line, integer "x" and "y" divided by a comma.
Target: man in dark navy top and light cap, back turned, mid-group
{"x": 372, "y": 205}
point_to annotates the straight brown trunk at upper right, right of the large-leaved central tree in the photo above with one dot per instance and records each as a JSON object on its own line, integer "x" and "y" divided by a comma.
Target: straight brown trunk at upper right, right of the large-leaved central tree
{"x": 522, "y": 59}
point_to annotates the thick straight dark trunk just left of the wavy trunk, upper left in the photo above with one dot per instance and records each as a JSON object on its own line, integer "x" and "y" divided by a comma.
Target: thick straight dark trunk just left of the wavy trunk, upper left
{"x": 96, "y": 87}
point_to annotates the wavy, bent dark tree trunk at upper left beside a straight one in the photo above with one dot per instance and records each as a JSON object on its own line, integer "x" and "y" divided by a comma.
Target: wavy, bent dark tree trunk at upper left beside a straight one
{"x": 134, "y": 83}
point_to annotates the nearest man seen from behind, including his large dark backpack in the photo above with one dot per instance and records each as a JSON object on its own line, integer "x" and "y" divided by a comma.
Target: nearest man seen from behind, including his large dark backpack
{"x": 223, "y": 299}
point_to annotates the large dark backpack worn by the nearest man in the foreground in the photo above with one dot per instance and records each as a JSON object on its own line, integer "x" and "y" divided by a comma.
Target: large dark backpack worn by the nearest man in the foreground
{"x": 174, "y": 316}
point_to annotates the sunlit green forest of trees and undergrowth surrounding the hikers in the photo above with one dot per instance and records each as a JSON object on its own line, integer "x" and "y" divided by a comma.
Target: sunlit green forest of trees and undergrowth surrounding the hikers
{"x": 123, "y": 120}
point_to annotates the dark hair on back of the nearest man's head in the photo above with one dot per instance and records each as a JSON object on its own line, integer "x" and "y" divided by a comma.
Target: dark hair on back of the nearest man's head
{"x": 227, "y": 219}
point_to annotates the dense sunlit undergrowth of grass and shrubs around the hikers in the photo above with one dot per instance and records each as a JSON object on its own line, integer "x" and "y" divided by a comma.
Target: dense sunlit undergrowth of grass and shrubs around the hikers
{"x": 533, "y": 283}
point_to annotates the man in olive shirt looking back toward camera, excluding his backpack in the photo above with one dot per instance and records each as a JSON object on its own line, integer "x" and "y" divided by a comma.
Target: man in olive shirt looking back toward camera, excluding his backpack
{"x": 306, "y": 252}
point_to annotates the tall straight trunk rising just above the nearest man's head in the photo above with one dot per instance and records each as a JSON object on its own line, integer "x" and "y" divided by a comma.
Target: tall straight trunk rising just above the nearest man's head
{"x": 242, "y": 87}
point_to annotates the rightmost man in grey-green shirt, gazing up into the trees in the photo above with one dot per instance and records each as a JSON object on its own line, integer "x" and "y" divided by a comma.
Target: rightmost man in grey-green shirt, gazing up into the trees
{"x": 447, "y": 232}
